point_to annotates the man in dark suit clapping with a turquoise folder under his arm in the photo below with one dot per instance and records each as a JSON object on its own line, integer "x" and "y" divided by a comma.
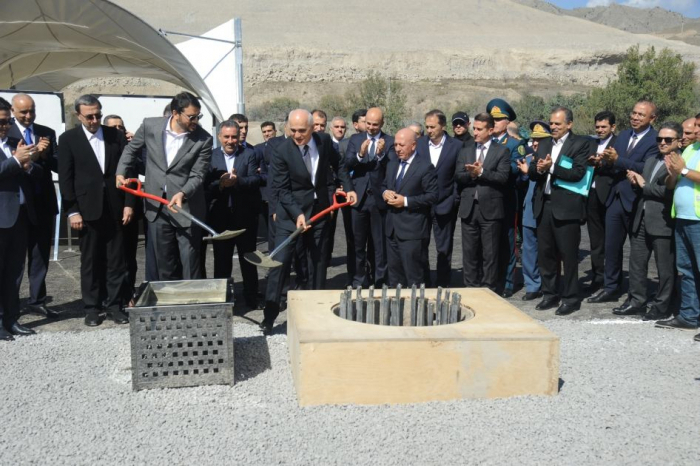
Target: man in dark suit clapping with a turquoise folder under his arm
{"x": 559, "y": 211}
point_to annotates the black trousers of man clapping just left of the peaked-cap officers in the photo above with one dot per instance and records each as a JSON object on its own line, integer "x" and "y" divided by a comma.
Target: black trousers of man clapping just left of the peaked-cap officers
{"x": 481, "y": 239}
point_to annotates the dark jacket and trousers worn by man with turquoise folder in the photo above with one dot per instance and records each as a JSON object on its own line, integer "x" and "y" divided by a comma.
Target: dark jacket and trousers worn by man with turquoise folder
{"x": 559, "y": 216}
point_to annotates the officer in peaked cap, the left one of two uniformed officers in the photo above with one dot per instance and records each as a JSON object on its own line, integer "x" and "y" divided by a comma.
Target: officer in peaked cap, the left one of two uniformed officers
{"x": 503, "y": 114}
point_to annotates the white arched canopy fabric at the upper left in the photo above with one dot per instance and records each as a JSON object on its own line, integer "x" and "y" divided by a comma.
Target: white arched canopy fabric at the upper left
{"x": 45, "y": 45}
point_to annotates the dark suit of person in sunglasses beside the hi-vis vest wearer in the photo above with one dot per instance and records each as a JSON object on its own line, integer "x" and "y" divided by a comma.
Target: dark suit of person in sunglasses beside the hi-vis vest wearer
{"x": 652, "y": 231}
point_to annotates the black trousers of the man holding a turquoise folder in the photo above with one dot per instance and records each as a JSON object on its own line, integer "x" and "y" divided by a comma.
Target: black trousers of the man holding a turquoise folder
{"x": 558, "y": 240}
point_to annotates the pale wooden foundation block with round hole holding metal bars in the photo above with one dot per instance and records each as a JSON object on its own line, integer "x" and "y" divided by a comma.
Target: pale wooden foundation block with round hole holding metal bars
{"x": 496, "y": 351}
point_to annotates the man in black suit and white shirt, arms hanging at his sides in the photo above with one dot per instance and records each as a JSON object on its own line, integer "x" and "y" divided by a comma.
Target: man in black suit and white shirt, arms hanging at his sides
{"x": 87, "y": 163}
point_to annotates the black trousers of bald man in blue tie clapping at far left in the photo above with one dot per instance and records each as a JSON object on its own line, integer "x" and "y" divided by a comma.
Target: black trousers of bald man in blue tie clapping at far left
{"x": 38, "y": 255}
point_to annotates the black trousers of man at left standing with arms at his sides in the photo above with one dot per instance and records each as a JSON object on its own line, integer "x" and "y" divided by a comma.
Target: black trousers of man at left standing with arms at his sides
{"x": 102, "y": 263}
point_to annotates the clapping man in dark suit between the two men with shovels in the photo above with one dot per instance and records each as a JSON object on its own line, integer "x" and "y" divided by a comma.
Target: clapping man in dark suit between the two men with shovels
{"x": 232, "y": 180}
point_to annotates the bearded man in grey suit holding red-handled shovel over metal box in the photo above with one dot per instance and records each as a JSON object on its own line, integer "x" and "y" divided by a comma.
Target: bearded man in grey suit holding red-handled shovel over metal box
{"x": 179, "y": 153}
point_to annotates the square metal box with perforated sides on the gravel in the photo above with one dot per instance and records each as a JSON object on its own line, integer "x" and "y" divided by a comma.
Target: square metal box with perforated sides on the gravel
{"x": 181, "y": 334}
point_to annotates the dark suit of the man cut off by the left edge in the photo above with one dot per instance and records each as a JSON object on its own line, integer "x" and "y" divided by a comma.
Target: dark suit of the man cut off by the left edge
{"x": 15, "y": 222}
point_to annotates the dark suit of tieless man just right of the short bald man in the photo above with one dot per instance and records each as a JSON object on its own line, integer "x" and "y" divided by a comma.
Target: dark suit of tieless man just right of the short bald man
{"x": 444, "y": 213}
